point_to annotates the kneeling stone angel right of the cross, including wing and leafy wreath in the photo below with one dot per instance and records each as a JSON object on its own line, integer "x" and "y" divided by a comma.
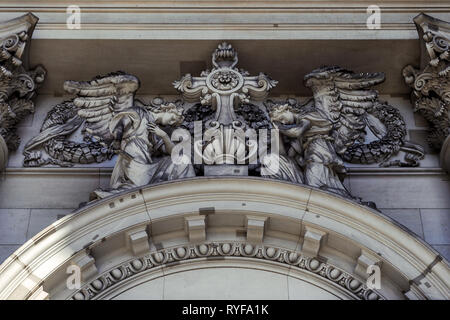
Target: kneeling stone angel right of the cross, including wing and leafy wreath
{"x": 331, "y": 127}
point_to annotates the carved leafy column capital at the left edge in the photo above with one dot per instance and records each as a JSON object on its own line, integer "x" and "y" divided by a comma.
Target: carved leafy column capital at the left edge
{"x": 18, "y": 83}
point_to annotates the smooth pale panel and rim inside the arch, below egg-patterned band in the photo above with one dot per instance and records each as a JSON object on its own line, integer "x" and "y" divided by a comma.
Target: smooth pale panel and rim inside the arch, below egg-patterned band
{"x": 221, "y": 264}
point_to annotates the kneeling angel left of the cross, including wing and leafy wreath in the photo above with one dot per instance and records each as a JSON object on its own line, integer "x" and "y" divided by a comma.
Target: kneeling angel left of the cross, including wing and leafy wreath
{"x": 113, "y": 123}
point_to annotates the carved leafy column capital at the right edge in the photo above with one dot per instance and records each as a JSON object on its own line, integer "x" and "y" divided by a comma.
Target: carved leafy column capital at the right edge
{"x": 431, "y": 83}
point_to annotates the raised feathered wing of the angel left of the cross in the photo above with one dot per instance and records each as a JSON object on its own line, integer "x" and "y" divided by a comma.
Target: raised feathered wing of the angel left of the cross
{"x": 101, "y": 98}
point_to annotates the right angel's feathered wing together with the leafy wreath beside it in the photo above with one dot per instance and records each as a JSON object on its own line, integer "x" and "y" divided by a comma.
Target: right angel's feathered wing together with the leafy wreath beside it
{"x": 349, "y": 102}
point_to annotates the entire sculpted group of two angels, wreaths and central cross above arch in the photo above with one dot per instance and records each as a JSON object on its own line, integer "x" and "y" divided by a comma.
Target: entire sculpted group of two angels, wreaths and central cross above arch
{"x": 227, "y": 127}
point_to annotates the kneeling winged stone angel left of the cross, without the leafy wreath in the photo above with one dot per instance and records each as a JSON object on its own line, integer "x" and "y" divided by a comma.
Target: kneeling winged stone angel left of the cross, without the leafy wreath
{"x": 111, "y": 115}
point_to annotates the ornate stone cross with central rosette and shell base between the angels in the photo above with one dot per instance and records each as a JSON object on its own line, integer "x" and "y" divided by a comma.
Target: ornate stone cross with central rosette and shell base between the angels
{"x": 225, "y": 89}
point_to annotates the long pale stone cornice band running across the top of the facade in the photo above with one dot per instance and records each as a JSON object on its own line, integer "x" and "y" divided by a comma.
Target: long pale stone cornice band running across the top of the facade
{"x": 210, "y": 19}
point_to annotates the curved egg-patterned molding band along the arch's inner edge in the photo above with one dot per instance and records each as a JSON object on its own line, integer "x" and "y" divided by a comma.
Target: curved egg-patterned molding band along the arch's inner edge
{"x": 106, "y": 281}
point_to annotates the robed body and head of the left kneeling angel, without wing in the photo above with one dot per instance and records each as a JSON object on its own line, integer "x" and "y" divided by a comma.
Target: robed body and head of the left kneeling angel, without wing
{"x": 141, "y": 139}
